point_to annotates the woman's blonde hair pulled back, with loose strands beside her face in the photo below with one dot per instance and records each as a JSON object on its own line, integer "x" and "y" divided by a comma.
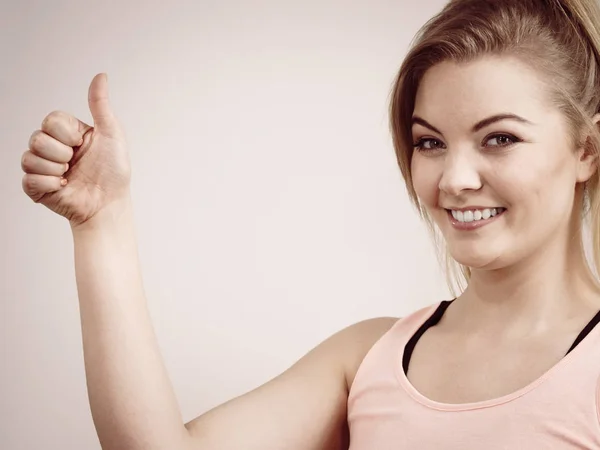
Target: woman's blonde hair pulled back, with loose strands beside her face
{"x": 559, "y": 38}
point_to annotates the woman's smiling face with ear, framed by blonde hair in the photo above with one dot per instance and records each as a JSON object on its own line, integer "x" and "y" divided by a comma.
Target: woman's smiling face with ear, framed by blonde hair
{"x": 493, "y": 162}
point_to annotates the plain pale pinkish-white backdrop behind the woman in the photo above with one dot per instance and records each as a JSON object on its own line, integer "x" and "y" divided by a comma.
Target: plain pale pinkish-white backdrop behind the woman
{"x": 270, "y": 210}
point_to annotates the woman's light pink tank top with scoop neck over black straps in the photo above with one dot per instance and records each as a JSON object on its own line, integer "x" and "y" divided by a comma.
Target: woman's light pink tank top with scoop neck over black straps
{"x": 558, "y": 411}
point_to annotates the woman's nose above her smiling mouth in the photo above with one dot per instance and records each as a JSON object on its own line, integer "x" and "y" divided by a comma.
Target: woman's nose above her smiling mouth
{"x": 460, "y": 173}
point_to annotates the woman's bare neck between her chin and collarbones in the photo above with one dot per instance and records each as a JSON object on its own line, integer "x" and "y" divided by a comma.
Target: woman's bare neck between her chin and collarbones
{"x": 538, "y": 293}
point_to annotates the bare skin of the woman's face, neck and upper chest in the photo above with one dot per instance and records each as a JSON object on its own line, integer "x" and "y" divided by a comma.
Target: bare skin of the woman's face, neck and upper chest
{"x": 530, "y": 292}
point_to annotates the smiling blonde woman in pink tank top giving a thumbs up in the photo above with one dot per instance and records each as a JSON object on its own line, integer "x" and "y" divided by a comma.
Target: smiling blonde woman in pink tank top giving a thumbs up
{"x": 494, "y": 120}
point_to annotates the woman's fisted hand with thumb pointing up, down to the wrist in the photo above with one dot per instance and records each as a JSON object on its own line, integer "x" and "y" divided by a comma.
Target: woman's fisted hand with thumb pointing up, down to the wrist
{"x": 75, "y": 169}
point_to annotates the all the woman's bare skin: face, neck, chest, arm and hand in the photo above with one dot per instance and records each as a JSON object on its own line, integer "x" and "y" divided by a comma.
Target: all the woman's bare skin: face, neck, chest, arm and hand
{"x": 521, "y": 301}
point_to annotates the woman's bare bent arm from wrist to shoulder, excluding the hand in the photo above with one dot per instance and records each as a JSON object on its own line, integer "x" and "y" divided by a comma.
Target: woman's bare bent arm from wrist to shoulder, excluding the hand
{"x": 132, "y": 400}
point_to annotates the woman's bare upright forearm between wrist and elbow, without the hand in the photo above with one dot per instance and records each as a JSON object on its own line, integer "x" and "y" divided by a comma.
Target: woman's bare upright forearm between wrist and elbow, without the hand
{"x": 132, "y": 402}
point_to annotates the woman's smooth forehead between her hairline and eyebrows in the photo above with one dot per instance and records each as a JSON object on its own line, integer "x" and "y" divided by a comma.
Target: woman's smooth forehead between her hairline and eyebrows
{"x": 468, "y": 92}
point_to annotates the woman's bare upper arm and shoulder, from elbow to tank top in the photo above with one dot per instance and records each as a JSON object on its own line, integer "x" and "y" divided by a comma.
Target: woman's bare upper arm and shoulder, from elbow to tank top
{"x": 304, "y": 408}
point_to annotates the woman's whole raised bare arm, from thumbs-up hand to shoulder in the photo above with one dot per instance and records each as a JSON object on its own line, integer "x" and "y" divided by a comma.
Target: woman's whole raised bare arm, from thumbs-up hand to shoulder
{"x": 131, "y": 398}
